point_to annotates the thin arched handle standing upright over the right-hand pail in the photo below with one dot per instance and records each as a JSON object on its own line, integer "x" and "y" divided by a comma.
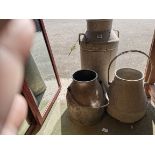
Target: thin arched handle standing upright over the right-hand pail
{"x": 132, "y": 51}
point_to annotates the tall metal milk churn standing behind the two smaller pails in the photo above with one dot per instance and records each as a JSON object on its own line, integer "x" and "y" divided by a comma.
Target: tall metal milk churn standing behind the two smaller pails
{"x": 98, "y": 46}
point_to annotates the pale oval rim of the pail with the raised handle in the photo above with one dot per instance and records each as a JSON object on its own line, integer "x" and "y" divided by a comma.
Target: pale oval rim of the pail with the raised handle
{"x": 140, "y": 79}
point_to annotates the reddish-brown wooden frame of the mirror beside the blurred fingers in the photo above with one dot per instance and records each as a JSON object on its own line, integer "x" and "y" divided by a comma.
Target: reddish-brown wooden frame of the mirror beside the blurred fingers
{"x": 34, "y": 118}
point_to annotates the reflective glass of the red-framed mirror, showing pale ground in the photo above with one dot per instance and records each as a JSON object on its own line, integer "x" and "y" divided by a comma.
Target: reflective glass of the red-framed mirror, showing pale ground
{"x": 39, "y": 73}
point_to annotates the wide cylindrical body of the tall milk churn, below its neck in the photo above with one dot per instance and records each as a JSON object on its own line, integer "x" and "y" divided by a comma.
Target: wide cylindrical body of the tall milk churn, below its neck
{"x": 97, "y": 54}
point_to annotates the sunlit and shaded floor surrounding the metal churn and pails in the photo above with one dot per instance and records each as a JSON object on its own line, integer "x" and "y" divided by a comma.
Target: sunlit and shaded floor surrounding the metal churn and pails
{"x": 134, "y": 34}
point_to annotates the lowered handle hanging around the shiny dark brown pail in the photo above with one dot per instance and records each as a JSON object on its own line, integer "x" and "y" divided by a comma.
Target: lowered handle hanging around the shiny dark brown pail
{"x": 103, "y": 89}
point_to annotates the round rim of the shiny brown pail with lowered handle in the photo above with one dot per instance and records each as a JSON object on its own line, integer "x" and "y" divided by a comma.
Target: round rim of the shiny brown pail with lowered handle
{"x": 96, "y": 76}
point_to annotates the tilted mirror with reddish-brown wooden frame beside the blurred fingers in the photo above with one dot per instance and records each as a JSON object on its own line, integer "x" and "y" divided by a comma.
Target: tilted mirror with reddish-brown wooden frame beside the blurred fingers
{"x": 41, "y": 85}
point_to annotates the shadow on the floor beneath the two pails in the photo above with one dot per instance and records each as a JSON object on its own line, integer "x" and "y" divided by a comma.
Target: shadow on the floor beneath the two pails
{"x": 114, "y": 127}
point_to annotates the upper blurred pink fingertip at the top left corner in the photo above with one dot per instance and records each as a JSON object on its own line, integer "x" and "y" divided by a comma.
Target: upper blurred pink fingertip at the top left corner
{"x": 18, "y": 36}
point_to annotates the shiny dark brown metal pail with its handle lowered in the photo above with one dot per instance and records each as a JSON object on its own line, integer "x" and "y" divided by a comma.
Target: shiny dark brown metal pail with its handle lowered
{"x": 86, "y": 98}
